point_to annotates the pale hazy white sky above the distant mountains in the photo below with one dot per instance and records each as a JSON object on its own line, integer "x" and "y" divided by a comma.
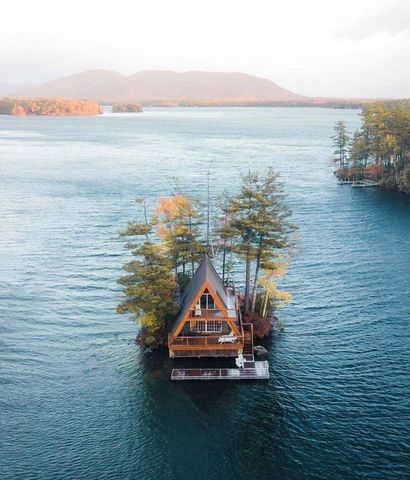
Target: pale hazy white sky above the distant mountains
{"x": 358, "y": 48}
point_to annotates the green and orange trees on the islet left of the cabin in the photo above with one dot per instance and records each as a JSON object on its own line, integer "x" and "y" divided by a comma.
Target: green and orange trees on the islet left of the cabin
{"x": 166, "y": 247}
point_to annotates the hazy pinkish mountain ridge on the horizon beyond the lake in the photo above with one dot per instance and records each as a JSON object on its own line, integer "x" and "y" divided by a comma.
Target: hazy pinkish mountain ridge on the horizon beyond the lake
{"x": 155, "y": 85}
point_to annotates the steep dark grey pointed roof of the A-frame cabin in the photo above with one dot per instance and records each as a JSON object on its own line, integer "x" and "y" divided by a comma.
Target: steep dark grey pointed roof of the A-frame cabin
{"x": 205, "y": 273}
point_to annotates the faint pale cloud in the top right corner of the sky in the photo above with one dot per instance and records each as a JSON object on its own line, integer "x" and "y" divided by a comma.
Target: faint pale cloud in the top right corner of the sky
{"x": 392, "y": 19}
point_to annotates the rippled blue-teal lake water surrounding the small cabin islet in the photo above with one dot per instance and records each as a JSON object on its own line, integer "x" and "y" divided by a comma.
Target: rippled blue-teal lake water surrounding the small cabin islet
{"x": 78, "y": 398}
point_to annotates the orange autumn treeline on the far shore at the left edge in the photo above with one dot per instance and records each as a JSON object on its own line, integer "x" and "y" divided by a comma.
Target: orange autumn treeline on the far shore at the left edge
{"x": 48, "y": 106}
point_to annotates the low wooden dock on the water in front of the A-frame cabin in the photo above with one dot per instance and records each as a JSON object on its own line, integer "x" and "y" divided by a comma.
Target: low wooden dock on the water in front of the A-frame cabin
{"x": 252, "y": 370}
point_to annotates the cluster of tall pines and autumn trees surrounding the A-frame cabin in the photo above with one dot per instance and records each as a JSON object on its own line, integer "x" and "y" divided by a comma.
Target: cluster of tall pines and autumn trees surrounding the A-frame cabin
{"x": 169, "y": 241}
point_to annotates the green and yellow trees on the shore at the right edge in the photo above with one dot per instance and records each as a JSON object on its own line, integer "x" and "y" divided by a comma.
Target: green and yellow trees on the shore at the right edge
{"x": 380, "y": 149}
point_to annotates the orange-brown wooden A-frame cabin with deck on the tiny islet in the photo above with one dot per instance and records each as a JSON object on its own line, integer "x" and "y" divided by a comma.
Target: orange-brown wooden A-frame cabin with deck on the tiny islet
{"x": 209, "y": 321}
